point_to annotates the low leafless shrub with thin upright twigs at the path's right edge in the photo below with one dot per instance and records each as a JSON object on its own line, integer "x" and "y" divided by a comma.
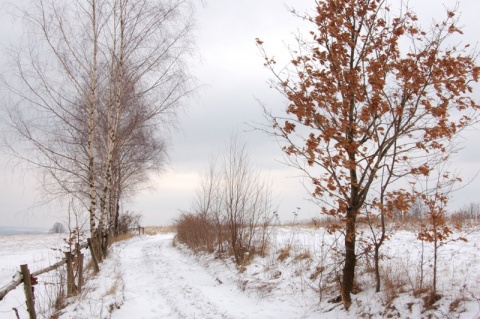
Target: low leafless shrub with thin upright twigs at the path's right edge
{"x": 236, "y": 200}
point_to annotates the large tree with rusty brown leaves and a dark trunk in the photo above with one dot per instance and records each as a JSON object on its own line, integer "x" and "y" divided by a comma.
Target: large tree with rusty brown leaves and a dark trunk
{"x": 370, "y": 95}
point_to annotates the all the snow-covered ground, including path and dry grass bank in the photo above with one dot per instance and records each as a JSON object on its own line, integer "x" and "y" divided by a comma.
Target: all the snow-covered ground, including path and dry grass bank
{"x": 148, "y": 277}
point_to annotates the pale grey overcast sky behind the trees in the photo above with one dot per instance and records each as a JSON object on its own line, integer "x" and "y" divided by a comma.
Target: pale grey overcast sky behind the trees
{"x": 231, "y": 69}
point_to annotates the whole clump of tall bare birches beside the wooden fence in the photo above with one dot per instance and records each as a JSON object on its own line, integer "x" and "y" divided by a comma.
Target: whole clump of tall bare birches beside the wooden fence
{"x": 95, "y": 93}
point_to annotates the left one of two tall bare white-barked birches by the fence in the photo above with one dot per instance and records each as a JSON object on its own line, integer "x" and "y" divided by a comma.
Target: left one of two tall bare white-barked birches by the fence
{"x": 54, "y": 69}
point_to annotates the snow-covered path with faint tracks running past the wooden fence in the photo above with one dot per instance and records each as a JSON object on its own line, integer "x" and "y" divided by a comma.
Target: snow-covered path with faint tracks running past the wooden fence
{"x": 161, "y": 282}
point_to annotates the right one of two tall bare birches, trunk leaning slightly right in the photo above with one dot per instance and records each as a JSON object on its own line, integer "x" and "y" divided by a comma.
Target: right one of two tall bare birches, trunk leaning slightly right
{"x": 150, "y": 42}
